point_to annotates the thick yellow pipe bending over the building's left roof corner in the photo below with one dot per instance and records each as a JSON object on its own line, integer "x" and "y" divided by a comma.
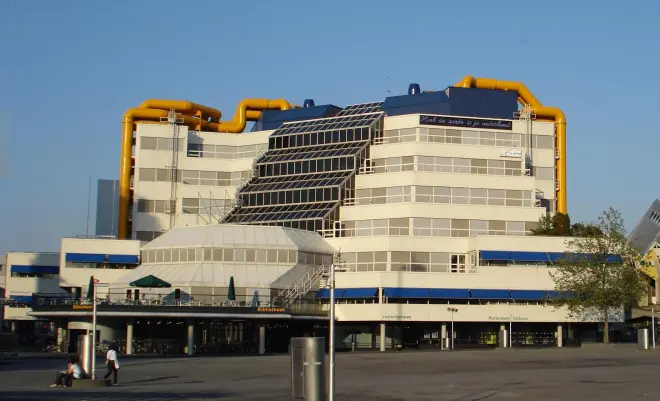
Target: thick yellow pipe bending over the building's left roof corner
{"x": 153, "y": 110}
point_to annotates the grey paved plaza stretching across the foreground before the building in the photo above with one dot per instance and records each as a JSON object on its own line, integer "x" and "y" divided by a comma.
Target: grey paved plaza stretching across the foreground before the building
{"x": 559, "y": 374}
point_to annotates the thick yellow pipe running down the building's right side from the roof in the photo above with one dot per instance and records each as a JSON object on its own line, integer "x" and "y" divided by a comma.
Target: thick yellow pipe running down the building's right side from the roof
{"x": 525, "y": 97}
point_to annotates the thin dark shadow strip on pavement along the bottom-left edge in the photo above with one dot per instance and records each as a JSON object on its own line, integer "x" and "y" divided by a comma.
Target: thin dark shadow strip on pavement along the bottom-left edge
{"x": 67, "y": 394}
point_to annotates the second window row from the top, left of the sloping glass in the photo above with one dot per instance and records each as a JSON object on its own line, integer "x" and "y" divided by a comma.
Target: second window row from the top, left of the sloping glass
{"x": 193, "y": 177}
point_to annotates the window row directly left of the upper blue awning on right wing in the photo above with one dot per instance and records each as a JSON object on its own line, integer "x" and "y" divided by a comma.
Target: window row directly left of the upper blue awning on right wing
{"x": 423, "y": 262}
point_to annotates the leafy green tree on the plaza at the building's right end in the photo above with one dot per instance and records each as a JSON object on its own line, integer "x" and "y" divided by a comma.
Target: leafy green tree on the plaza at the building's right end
{"x": 593, "y": 279}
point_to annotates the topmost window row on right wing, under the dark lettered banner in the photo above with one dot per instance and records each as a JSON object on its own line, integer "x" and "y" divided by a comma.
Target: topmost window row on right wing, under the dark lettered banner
{"x": 454, "y": 136}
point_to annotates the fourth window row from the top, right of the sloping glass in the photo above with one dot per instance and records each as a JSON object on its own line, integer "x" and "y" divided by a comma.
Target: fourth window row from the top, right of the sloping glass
{"x": 428, "y": 227}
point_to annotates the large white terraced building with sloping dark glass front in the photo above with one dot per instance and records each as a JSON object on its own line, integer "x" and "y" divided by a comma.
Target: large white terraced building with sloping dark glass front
{"x": 427, "y": 202}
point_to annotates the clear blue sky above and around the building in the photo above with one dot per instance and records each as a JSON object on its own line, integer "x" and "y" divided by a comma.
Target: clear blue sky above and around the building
{"x": 70, "y": 69}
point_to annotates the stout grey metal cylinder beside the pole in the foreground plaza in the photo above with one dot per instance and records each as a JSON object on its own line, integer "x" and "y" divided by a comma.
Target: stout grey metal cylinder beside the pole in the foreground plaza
{"x": 308, "y": 368}
